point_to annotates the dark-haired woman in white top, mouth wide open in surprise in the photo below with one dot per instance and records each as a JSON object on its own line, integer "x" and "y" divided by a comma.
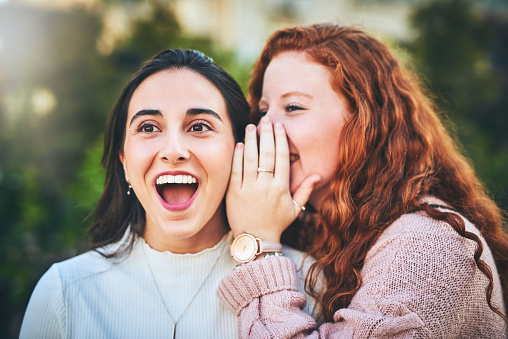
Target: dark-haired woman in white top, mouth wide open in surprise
{"x": 160, "y": 236}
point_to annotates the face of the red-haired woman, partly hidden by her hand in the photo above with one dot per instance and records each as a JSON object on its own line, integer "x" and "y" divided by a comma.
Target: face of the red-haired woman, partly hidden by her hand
{"x": 297, "y": 92}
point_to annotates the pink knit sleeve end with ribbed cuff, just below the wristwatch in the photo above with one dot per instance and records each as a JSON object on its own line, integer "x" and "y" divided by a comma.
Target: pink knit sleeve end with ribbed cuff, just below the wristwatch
{"x": 264, "y": 295}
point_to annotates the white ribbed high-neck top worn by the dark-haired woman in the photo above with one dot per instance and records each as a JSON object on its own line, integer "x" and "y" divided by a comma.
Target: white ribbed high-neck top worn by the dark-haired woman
{"x": 92, "y": 297}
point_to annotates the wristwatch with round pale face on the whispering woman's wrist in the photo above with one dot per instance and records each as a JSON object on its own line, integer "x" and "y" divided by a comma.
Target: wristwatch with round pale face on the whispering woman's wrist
{"x": 246, "y": 247}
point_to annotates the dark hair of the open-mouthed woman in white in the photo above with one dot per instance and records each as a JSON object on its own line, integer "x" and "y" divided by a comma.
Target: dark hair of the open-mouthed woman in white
{"x": 117, "y": 212}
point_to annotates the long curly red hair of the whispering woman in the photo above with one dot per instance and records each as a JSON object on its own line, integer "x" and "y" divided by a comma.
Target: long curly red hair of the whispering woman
{"x": 394, "y": 150}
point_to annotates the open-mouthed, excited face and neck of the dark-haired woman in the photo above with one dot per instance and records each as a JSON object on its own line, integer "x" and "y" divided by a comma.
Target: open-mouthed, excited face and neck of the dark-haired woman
{"x": 177, "y": 154}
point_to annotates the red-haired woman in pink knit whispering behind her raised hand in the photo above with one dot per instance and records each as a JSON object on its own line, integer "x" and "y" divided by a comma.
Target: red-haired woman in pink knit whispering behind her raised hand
{"x": 406, "y": 240}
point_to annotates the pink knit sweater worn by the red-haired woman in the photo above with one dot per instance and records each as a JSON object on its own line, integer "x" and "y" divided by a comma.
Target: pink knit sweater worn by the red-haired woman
{"x": 419, "y": 281}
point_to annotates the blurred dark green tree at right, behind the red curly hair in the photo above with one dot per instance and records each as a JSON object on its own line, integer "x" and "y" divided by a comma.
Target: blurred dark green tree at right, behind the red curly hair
{"x": 462, "y": 53}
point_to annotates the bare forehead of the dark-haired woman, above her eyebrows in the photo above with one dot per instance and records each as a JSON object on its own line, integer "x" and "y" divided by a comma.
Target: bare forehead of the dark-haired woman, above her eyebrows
{"x": 175, "y": 90}
